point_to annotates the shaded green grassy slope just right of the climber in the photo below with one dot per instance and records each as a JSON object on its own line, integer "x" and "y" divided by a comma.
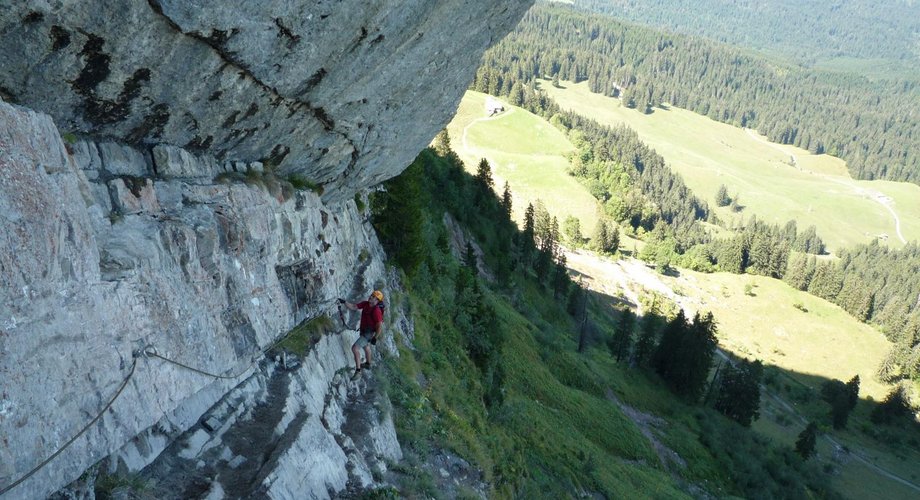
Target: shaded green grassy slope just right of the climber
{"x": 556, "y": 431}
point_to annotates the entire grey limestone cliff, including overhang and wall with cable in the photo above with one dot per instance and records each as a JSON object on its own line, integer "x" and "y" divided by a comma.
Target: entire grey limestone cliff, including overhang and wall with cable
{"x": 120, "y": 249}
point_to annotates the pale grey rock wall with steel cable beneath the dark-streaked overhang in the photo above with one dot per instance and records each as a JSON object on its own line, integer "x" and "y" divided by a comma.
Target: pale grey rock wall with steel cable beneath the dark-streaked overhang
{"x": 100, "y": 259}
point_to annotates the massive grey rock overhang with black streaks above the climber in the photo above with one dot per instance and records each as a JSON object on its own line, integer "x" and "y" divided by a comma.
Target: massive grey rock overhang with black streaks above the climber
{"x": 344, "y": 93}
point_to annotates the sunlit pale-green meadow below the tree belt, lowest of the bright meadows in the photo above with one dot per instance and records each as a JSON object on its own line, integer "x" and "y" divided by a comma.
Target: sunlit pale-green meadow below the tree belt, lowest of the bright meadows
{"x": 768, "y": 323}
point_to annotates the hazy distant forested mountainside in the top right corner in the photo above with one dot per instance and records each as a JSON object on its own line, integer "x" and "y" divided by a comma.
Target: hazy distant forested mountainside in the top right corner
{"x": 805, "y": 30}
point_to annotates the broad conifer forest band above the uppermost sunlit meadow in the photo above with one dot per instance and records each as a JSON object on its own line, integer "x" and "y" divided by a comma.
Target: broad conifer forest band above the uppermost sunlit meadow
{"x": 872, "y": 125}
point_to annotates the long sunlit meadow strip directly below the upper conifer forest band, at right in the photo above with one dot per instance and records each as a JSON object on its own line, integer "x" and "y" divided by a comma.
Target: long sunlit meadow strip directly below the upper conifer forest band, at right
{"x": 707, "y": 154}
